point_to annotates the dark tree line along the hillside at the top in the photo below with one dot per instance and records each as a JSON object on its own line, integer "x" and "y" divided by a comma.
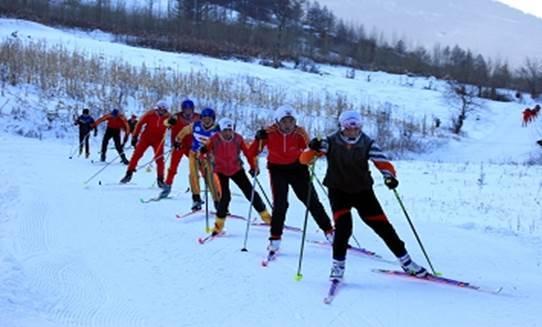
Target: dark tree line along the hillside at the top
{"x": 274, "y": 31}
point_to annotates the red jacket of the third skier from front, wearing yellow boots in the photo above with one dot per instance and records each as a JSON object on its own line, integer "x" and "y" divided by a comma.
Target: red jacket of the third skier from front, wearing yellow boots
{"x": 226, "y": 153}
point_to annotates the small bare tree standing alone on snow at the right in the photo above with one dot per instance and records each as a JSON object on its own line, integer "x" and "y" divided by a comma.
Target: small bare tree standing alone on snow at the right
{"x": 462, "y": 98}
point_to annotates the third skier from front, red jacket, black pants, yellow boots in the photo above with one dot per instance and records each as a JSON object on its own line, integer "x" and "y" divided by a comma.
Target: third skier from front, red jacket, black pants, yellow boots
{"x": 225, "y": 148}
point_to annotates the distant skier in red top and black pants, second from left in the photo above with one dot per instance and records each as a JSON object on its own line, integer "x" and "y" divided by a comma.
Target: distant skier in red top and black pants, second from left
{"x": 116, "y": 122}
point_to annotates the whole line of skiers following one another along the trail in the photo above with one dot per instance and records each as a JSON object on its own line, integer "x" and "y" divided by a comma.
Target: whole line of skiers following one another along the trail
{"x": 213, "y": 149}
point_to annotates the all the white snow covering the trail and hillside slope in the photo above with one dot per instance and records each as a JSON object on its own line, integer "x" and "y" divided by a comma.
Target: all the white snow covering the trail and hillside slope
{"x": 93, "y": 255}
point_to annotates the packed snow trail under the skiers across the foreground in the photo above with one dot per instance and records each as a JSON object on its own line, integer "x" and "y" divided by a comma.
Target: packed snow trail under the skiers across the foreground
{"x": 96, "y": 256}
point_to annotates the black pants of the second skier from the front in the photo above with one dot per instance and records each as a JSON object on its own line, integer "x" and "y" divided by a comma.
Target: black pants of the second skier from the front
{"x": 298, "y": 177}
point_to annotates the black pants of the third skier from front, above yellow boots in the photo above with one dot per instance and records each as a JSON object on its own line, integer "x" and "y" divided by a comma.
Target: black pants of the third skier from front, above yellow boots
{"x": 240, "y": 178}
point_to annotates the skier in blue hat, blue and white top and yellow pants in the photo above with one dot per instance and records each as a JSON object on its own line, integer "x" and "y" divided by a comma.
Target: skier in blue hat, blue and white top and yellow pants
{"x": 201, "y": 131}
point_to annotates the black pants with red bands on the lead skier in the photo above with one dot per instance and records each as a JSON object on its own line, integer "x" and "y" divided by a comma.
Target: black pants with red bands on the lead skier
{"x": 370, "y": 212}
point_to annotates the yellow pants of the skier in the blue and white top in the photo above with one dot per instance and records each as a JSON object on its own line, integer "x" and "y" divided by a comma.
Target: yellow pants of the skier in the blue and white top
{"x": 205, "y": 167}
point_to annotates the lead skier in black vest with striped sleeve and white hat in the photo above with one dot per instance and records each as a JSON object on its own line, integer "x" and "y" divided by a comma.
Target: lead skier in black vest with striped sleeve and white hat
{"x": 349, "y": 184}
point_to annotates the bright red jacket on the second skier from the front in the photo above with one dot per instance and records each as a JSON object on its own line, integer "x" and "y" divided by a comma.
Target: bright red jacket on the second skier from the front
{"x": 283, "y": 149}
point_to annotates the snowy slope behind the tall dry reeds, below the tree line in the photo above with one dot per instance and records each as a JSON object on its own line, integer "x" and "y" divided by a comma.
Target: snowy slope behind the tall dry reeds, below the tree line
{"x": 406, "y": 97}
